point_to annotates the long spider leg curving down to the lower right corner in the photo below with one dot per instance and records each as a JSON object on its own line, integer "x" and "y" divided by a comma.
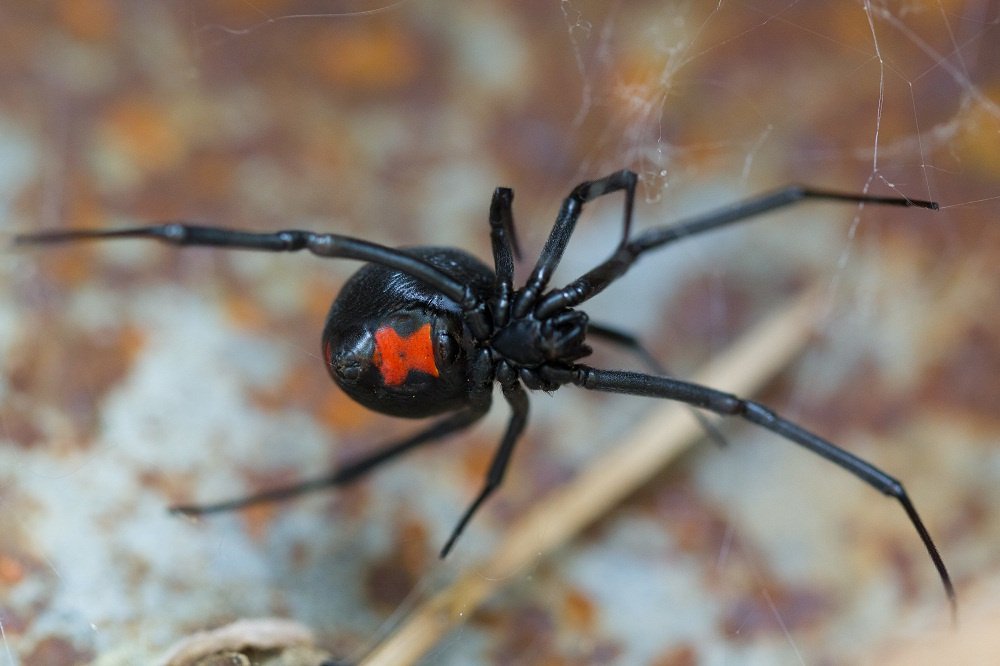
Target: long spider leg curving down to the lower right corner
{"x": 634, "y": 383}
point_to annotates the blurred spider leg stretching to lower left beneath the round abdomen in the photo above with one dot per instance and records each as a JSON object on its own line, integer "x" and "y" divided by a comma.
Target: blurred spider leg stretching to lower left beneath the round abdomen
{"x": 352, "y": 471}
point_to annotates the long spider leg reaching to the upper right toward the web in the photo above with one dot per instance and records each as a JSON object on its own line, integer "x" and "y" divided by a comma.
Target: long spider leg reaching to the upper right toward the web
{"x": 629, "y": 251}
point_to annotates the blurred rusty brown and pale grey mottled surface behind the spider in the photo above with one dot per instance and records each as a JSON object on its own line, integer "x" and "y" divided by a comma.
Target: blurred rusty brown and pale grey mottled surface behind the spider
{"x": 134, "y": 376}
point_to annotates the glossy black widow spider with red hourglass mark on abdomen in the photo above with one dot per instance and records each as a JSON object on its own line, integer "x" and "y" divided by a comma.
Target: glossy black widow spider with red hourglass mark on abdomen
{"x": 423, "y": 331}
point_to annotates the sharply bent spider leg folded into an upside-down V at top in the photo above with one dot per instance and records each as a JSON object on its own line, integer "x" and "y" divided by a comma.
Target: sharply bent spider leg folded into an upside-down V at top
{"x": 565, "y": 222}
